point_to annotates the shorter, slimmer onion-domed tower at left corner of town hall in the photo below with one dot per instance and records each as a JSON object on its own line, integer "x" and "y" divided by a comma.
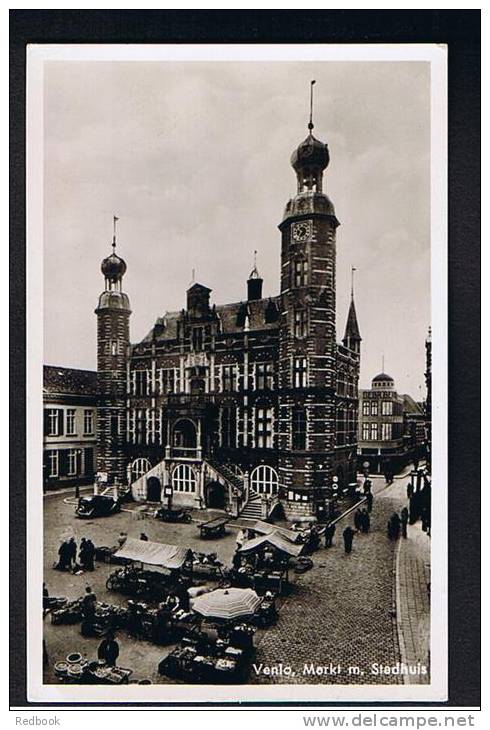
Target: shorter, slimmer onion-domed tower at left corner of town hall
{"x": 113, "y": 313}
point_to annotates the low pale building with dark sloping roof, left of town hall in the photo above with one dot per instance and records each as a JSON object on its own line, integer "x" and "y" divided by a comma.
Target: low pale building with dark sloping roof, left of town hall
{"x": 70, "y": 426}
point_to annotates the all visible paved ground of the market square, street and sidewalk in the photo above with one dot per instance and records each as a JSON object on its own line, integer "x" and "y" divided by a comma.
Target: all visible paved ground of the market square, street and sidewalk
{"x": 340, "y": 612}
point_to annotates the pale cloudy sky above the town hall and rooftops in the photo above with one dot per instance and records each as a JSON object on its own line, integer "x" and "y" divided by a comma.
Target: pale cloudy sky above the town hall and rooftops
{"x": 194, "y": 159}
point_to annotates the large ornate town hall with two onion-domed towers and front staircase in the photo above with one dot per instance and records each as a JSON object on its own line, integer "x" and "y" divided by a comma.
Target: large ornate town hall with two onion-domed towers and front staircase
{"x": 251, "y": 406}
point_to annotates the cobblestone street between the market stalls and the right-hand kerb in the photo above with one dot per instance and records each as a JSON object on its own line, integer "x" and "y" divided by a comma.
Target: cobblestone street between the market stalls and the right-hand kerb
{"x": 341, "y": 611}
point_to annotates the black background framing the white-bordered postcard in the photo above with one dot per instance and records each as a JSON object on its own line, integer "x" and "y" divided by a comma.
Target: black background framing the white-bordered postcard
{"x": 459, "y": 29}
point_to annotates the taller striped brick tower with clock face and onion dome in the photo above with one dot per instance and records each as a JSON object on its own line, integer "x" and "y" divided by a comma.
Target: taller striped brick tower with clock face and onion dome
{"x": 307, "y": 339}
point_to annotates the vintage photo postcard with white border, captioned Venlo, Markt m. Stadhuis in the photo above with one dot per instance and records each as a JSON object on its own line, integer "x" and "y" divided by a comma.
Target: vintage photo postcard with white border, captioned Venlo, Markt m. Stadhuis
{"x": 236, "y": 264}
